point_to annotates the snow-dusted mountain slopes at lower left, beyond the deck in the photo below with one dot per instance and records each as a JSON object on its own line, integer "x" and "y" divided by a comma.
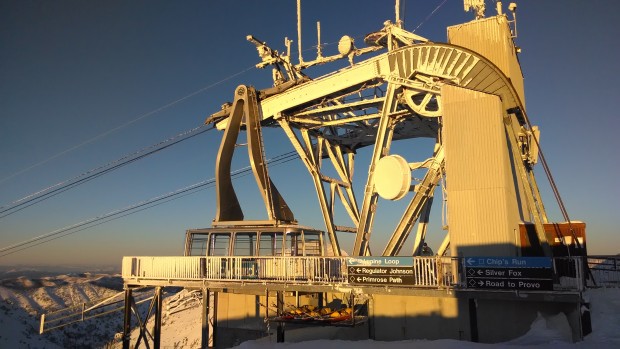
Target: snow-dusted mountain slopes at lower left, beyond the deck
{"x": 24, "y": 298}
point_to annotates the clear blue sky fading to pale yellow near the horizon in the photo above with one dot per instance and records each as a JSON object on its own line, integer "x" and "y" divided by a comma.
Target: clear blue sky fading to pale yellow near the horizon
{"x": 72, "y": 70}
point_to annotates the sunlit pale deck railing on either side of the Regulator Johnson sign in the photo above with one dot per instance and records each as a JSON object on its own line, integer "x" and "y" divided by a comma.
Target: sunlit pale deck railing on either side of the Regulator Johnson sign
{"x": 428, "y": 271}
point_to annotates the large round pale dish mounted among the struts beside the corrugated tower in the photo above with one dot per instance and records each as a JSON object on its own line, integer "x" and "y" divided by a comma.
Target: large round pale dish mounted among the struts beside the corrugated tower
{"x": 392, "y": 177}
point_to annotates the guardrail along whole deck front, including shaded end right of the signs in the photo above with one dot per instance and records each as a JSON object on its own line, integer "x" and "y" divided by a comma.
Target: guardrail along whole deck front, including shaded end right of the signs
{"x": 428, "y": 272}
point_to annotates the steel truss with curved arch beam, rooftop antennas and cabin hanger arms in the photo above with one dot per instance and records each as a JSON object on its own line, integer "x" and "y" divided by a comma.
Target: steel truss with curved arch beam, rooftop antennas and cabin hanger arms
{"x": 392, "y": 96}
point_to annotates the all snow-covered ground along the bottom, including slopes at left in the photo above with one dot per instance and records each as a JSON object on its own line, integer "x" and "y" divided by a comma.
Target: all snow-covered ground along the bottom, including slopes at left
{"x": 23, "y": 298}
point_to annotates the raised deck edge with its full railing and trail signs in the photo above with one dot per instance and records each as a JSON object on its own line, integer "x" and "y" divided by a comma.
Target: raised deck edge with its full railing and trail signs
{"x": 432, "y": 276}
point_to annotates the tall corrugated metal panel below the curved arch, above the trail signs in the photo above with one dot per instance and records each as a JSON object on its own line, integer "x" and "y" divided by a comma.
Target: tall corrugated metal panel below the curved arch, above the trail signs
{"x": 483, "y": 216}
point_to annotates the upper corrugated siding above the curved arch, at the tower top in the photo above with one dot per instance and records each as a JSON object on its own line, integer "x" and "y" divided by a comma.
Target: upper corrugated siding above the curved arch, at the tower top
{"x": 491, "y": 38}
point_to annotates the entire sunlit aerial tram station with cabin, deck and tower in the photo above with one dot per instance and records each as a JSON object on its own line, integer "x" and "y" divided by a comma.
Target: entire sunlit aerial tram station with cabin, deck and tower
{"x": 502, "y": 261}
